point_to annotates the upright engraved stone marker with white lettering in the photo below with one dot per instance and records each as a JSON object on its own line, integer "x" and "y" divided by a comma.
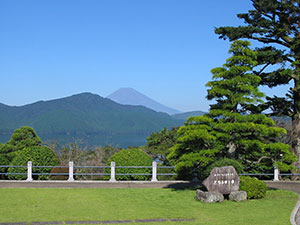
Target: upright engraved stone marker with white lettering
{"x": 222, "y": 179}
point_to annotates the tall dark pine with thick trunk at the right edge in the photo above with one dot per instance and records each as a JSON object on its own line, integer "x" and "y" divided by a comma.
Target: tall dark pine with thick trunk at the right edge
{"x": 276, "y": 24}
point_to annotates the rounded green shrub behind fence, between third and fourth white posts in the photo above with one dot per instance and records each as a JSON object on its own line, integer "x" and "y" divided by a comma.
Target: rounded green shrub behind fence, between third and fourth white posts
{"x": 131, "y": 157}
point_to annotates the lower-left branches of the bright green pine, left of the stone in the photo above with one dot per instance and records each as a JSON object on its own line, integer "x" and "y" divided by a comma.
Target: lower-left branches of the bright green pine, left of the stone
{"x": 194, "y": 144}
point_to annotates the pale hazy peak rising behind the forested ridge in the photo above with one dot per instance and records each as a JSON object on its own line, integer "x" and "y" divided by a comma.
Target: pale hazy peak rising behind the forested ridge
{"x": 129, "y": 96}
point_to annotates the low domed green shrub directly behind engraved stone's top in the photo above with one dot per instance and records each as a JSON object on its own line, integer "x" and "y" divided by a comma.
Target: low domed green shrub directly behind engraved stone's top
{"x": 223, "y": 162}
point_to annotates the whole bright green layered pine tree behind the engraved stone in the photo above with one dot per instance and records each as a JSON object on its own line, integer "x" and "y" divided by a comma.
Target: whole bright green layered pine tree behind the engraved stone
{"x": 234, "y": 127}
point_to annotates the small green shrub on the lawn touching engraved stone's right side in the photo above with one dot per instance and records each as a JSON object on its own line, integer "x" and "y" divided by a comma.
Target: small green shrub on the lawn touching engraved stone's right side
{"x": 255, "y": 188}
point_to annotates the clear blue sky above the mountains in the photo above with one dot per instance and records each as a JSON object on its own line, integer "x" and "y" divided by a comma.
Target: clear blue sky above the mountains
{"x": 162, "y": 48}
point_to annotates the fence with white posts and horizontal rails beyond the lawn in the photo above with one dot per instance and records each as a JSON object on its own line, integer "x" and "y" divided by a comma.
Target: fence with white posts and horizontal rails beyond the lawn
{"x": 111, "y": 171}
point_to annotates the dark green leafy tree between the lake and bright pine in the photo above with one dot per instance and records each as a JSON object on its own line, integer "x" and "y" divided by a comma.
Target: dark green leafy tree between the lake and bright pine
{"x": 158, "y": 144}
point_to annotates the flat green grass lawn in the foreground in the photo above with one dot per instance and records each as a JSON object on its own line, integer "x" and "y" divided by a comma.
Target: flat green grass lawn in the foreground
{"x": 27, "y": 205}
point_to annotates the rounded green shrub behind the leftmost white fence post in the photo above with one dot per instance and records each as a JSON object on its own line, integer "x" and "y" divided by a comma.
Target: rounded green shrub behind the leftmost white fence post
{"x": 39, "y": 155}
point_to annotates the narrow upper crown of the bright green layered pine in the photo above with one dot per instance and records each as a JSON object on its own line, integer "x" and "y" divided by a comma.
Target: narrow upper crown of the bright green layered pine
{"x": 234, "y": 86}
